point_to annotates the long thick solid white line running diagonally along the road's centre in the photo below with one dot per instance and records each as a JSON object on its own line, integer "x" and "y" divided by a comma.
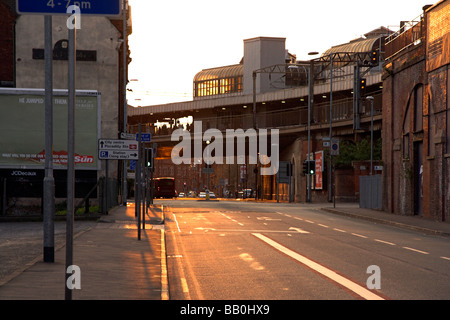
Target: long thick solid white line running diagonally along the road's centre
{"x": 347, "y": 283}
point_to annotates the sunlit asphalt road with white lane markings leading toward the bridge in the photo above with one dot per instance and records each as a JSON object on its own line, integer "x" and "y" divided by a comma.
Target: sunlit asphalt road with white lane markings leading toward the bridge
{"x": 233, "y": 250}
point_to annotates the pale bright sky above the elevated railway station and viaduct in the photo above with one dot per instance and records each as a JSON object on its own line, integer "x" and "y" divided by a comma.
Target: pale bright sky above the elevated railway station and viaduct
{"x": 173, "y": 40}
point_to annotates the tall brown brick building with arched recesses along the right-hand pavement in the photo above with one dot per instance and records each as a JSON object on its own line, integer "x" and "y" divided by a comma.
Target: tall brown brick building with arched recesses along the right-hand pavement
{"x": 416, "y": 116}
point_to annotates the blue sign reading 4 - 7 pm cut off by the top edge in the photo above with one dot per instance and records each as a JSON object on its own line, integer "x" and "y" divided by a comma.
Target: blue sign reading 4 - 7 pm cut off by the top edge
{"x": 93, "y": 7}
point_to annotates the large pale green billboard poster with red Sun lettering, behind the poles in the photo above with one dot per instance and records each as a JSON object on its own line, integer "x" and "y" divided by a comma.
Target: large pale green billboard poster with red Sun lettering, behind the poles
{"x": 22, "y": 129}
